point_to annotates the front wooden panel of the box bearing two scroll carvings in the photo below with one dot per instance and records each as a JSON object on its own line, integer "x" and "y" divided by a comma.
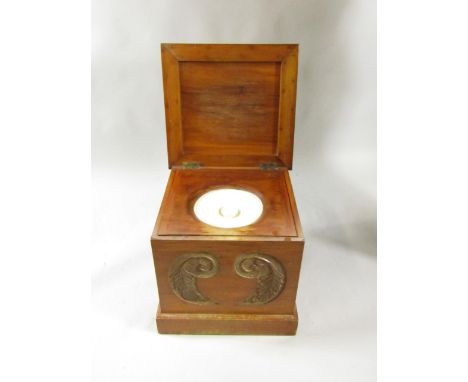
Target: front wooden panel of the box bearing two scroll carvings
{"x": 251, "y": 277}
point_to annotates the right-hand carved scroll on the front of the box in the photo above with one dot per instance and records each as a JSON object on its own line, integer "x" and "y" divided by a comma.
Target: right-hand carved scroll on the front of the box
{"x": 269, "y": 273}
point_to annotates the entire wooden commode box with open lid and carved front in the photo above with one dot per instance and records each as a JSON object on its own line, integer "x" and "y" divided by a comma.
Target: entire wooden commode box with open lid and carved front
{"x": 230, "y": 126}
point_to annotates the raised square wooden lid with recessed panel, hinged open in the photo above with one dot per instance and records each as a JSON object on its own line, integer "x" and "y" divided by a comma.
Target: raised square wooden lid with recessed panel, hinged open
{"x": 230, "y": 105}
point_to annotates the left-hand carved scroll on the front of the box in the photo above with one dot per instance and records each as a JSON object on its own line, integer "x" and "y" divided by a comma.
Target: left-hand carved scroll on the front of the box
{"x": 184, "y": 273}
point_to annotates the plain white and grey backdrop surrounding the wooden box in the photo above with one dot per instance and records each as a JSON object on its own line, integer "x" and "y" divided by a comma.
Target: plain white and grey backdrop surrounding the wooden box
{"x": 333, "y": 176}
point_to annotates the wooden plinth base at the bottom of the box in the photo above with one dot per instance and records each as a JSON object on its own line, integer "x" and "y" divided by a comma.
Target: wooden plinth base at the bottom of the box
{"x": 254, "y": 324}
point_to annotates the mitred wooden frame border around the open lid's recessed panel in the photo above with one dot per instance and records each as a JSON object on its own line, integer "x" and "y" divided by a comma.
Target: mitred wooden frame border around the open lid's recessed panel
{"x": 285, "y": 54}
